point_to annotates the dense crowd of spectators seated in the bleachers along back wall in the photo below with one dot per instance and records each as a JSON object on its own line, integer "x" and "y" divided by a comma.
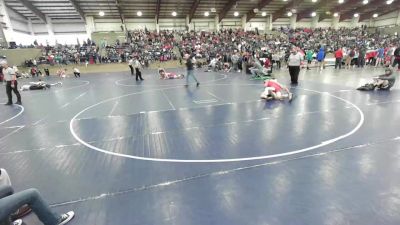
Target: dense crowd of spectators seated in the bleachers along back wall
{"x": 364, "y": 46}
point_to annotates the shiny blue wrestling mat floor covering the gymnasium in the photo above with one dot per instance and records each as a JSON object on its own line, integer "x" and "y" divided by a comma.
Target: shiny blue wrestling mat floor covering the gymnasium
{"x": 120, "y": 152}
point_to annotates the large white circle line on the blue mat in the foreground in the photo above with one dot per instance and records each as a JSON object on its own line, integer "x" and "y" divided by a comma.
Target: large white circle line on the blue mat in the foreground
{"x": 327, "y": 142}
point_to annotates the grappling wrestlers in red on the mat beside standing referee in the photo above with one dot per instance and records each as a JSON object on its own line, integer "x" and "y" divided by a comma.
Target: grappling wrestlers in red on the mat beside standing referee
{"x": 273, "y": 90}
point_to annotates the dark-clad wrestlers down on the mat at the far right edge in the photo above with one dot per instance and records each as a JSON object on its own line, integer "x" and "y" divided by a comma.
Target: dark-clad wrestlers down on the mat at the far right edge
{"x": 382, "y": 82}
